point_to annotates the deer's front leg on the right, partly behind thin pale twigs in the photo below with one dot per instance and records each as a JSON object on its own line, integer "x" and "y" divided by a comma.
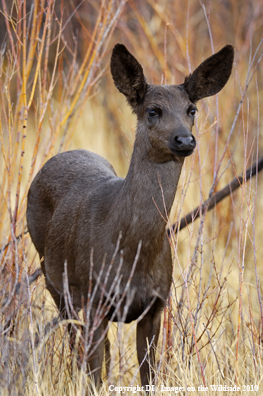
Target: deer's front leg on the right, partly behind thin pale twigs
{"x": 148, "y": 330}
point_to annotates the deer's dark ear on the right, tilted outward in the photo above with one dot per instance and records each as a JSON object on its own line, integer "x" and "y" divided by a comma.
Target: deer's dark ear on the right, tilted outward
{"x": 211, "y": 76}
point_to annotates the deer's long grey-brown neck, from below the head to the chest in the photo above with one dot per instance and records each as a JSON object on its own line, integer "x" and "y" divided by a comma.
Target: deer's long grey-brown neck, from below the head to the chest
{"x": 149, "y": 189}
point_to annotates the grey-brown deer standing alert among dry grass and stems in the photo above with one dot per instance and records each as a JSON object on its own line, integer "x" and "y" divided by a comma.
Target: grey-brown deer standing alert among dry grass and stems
{"x": 77, "y": 206}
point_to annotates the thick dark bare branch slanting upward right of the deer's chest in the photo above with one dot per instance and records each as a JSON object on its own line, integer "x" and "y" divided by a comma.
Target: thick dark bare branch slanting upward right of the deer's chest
{"x": 211, "y": 202}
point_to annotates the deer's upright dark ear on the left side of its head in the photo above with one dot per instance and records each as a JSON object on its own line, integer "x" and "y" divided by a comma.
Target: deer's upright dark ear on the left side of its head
{"x": 128, "y": 75}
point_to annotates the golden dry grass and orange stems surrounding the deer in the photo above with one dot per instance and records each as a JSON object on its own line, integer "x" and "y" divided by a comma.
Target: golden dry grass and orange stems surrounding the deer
{"x": 56, "y": 94}
